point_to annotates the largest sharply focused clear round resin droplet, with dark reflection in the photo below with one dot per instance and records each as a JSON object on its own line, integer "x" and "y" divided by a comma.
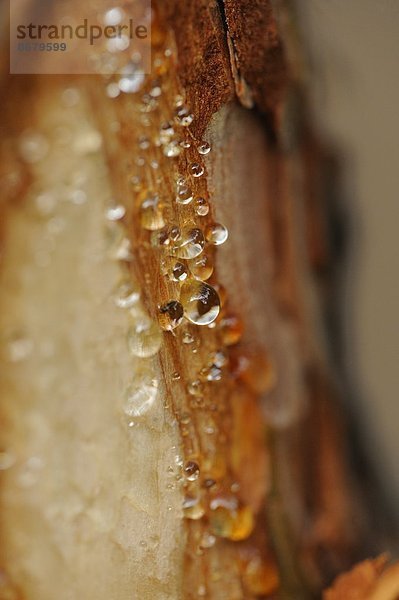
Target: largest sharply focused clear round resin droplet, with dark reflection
{"x": 200, "y": 301}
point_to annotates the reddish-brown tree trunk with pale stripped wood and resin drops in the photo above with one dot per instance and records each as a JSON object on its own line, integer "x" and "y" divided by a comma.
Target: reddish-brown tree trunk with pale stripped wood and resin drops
{"x": 148, "y": 454}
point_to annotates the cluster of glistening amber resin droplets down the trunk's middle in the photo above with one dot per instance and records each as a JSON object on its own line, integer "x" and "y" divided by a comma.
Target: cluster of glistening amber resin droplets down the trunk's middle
{"x": 173, "y": 222}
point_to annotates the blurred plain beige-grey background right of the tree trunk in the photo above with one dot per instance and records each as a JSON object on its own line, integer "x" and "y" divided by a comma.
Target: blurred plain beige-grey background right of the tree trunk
{"x": 353, "y": 51}
